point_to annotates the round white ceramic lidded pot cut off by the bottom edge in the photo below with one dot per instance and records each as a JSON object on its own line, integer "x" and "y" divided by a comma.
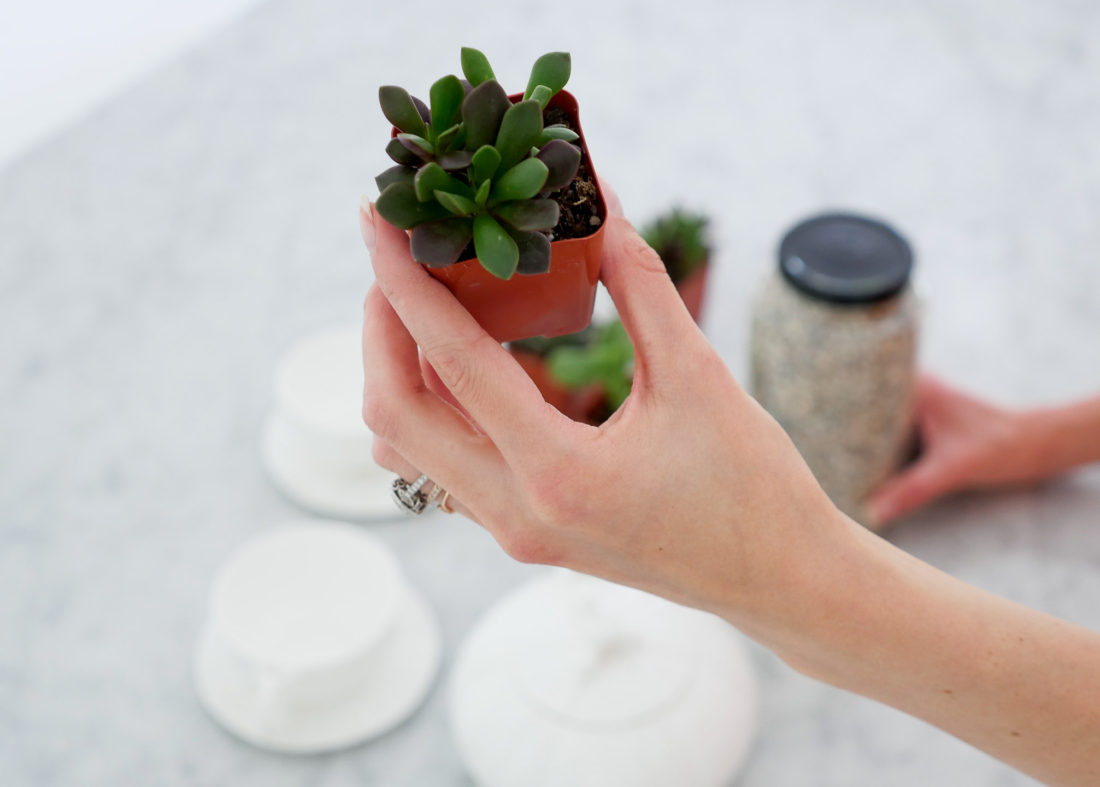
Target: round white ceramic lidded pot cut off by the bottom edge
{"x": 571, "y": 681}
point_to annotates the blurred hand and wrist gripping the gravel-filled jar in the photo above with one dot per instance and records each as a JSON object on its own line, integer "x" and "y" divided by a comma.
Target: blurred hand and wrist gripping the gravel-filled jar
{"x": 970, "y": 444}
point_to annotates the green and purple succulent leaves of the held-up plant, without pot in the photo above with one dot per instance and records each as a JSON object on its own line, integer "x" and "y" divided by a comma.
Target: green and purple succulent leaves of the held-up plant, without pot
{"x": 474, "y": 167}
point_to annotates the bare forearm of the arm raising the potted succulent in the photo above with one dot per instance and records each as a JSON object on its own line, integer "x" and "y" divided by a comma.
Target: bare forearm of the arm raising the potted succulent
{"x": 1018, "y": 684}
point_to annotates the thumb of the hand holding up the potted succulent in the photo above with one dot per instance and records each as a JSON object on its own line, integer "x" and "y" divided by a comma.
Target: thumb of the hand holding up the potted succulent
{"x": 653, "y": 313}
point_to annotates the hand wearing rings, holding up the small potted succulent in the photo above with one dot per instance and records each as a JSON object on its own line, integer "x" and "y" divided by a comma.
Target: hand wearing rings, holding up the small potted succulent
{"x": 690, "y": 490}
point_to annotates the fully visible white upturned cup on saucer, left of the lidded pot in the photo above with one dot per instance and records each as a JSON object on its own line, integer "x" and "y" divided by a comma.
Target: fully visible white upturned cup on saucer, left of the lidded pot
{"x": 314, "y": 641}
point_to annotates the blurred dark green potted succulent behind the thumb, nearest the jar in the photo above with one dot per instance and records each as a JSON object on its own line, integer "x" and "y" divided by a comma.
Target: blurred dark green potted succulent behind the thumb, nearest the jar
{"x": 680, "y": 239}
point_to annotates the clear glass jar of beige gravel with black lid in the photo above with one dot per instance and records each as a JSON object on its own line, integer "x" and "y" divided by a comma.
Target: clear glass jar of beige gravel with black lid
{"x": 834, "y": 352}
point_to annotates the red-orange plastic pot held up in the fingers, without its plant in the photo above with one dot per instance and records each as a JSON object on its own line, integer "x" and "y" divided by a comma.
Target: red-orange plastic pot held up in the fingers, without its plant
{"x": 548, "y": 304}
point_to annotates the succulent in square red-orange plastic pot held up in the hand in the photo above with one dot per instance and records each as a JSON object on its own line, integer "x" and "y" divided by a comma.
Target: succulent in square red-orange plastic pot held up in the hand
{"x": 491, "y": 187}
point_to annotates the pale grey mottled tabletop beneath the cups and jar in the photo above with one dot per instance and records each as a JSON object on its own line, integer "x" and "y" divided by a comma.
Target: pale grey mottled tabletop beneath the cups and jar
{"x": 157, "y": 258}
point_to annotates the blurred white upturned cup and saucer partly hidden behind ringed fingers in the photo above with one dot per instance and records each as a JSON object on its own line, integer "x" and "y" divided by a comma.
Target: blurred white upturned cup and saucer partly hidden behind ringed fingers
{"x": 315, "y": 446}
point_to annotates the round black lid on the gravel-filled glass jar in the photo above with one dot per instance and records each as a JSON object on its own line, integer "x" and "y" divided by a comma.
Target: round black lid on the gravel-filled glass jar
{"x": 846, "y": 259}
